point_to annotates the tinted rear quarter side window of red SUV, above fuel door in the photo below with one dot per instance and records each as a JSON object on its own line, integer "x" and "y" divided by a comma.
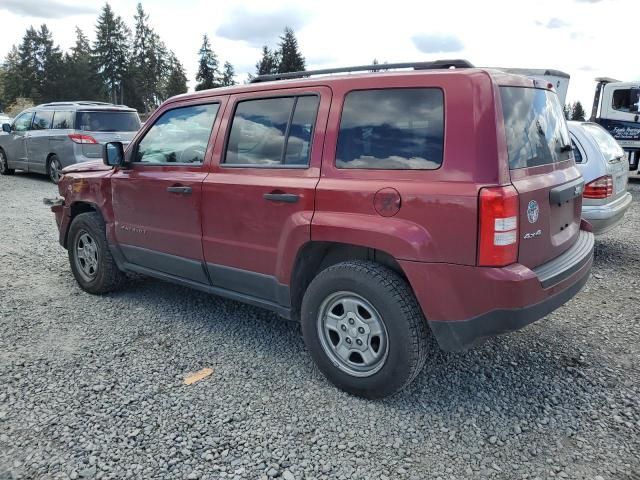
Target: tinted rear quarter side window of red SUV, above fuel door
{"x": 395, "y": 129}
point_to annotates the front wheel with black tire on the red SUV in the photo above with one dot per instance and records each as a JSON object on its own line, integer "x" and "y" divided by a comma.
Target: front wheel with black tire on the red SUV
{"x": 91, "y": 262}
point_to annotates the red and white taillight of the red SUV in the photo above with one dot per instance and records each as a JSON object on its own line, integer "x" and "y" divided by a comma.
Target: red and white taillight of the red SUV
{"x": 498, "y": 230}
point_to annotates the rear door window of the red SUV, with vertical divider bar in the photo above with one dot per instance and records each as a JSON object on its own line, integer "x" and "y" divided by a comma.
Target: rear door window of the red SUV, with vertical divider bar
{"x": 272, "y": 132}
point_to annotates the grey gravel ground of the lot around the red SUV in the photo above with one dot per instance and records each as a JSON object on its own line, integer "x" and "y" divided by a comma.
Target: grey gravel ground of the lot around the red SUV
{"x": 92, "y": 387}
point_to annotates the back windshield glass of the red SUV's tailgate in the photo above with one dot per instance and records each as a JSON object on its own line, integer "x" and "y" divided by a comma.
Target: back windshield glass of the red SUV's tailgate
{"x": 535, "y": 128}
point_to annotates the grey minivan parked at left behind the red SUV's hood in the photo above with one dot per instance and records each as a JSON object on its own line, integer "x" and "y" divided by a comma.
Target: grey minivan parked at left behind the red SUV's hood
{"x": 49, "y": 137}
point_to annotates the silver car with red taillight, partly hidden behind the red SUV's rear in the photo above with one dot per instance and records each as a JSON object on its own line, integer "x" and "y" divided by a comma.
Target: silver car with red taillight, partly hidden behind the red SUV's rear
{"x": 605, "y": 170}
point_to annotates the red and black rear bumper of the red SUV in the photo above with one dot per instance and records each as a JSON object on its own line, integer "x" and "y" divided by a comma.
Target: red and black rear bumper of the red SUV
{"x": 466, "y": 305}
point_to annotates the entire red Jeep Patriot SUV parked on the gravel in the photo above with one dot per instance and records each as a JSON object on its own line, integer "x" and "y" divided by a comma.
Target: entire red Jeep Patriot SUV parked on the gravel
{"x": 376, "y": 208}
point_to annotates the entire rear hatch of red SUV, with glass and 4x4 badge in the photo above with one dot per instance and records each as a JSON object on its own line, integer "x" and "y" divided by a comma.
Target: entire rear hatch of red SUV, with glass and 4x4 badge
{"x": 543, "y": 172}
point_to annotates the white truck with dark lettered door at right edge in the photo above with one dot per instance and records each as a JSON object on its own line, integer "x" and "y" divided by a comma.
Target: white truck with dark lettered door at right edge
{"x": 616, "y": 106}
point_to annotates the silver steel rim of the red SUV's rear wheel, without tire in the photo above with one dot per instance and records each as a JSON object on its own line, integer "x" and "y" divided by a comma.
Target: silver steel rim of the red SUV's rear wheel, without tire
{"x": 352, "y": 334}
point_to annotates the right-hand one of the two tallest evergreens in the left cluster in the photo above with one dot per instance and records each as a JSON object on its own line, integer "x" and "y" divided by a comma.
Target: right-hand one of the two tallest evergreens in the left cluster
{"x": 149, "y": 67}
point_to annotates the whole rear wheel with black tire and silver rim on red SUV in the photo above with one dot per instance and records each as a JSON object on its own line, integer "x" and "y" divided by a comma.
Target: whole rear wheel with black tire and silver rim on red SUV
{"x": 378, "y": 300}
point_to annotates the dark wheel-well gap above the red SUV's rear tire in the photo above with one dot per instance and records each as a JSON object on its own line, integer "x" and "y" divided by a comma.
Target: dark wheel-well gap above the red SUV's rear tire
{"x": 315, "y": 256}
